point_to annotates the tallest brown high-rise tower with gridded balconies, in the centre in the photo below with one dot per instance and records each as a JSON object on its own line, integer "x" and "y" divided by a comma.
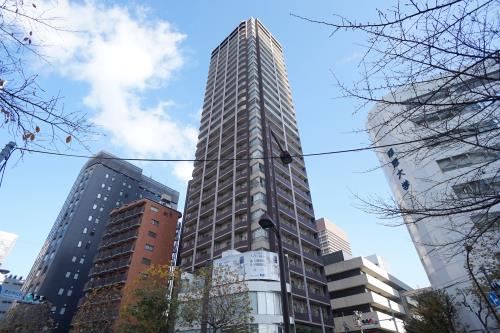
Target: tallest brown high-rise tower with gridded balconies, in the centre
{"x": 248, "y": 94}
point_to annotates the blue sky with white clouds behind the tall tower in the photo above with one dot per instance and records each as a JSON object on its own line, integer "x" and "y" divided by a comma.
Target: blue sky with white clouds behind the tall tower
{"x": 138, "y": 71}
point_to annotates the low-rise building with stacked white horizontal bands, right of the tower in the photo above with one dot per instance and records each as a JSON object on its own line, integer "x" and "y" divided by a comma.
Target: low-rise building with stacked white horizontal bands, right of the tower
{"x": 363, "y": 285}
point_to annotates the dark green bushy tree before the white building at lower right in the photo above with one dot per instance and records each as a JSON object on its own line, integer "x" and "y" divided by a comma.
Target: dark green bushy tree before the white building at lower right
{"x": 435, "y": 313}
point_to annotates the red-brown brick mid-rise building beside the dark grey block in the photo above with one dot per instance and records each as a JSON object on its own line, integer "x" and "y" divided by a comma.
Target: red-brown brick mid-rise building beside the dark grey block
{"x": 137, "y": 235}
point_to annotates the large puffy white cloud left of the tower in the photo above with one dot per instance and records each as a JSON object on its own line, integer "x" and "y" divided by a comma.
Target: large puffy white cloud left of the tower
{"x": 121, "y": 53}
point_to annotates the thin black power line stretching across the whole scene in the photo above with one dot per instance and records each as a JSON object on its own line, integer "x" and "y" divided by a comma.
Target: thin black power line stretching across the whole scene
{"x": 333, "y": 152}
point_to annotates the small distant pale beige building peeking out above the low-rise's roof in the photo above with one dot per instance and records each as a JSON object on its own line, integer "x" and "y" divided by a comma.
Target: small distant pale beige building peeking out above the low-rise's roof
{"x": 331, "y": 237}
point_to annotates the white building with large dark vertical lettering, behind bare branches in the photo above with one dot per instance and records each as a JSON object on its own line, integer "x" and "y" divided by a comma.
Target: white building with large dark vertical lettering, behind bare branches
{"x": 423, "y": 177}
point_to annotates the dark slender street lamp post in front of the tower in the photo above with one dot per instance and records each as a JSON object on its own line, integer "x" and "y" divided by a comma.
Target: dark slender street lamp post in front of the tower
{"x": 267, "y": 223}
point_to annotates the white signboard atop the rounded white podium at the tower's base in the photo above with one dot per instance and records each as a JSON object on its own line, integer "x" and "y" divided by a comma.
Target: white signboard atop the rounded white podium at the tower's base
{"x": 252, "y": 265}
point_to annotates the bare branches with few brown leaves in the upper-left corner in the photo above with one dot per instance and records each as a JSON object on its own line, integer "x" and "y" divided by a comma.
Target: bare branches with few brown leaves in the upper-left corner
{"x": 30, "y": 114}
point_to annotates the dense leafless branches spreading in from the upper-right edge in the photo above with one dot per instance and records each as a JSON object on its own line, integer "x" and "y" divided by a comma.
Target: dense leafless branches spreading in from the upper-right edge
{"x": 432, "y": 68}
